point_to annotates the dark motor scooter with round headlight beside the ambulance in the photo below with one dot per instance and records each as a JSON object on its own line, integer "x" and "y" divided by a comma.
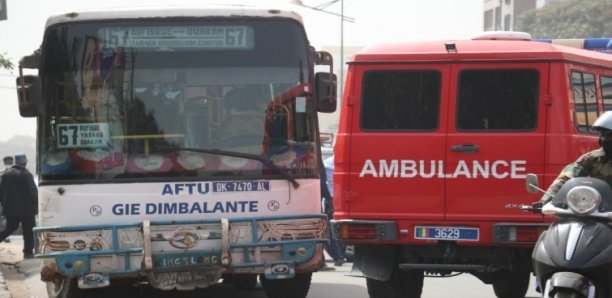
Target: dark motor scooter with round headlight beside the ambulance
{"x": 573, "y": 258}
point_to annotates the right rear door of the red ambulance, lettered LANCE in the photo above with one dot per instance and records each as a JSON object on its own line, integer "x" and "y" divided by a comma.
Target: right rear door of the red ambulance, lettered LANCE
{"x": 496, "y": 135}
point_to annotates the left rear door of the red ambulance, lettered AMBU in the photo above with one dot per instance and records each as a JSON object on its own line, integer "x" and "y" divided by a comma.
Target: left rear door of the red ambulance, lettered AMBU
{"x": 398, "y": 141}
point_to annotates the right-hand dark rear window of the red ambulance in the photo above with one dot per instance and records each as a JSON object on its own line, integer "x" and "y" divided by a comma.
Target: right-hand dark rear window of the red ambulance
{"x": 499, "y": 100}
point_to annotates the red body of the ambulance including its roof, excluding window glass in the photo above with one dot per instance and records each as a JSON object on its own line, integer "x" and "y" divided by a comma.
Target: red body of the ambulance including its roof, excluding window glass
{"x": 454, "y": 195}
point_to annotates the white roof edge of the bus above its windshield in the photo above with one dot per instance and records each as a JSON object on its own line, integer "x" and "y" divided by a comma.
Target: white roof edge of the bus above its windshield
{"x": 172, "y": 11}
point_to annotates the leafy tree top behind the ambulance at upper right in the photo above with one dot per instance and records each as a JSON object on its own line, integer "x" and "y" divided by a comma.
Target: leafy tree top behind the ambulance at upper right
{"x": 568, "y": 19}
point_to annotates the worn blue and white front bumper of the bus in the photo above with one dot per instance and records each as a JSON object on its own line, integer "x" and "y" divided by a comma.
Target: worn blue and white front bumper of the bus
{"x": 182, "y": 254}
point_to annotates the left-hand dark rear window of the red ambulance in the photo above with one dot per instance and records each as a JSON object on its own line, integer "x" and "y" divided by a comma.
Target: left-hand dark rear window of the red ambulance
{"x": 401, "y": 100}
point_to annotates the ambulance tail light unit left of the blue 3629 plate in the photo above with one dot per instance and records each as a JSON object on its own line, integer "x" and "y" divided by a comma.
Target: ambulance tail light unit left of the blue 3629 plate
{"x": 364, "y": 230}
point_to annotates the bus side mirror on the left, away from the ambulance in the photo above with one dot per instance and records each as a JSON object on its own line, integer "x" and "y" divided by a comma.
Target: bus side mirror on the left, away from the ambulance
{"x": 29, "y": 95}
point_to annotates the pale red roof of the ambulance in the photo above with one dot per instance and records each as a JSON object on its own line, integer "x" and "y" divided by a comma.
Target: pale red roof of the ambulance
{"x": 478, "y": 50}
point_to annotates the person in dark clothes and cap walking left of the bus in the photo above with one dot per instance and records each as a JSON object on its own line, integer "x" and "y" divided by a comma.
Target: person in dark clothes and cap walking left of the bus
{"x": 19, "y": 199}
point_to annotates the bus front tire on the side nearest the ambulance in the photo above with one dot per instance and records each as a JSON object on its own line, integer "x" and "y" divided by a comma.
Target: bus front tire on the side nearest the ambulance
{"x": 296, "y": 287}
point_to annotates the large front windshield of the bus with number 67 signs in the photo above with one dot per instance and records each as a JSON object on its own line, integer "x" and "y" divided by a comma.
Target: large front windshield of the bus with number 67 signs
{"x": 168, "y": 97}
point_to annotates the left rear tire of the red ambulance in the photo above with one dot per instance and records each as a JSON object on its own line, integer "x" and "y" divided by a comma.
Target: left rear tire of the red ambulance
{"x": 405, "y": 284}
